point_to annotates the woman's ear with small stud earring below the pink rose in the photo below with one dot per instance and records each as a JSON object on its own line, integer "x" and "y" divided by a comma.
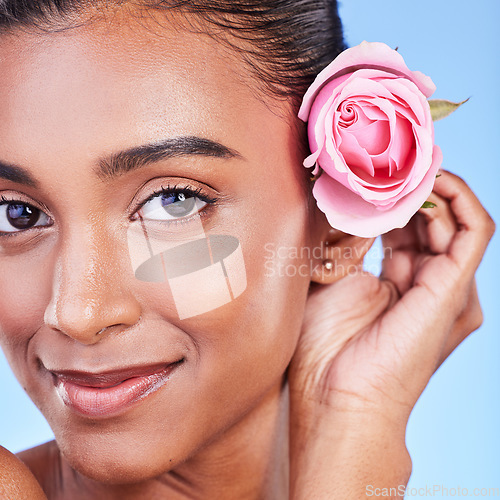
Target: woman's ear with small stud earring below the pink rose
{"x": 341, "y": 254}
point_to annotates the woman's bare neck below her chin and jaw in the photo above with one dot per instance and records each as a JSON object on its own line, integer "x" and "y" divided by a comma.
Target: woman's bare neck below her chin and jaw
{"x": 249, "y": 462}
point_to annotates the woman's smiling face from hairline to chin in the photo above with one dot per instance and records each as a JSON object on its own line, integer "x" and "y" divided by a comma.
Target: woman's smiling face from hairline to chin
{"x": 75, "y": 320}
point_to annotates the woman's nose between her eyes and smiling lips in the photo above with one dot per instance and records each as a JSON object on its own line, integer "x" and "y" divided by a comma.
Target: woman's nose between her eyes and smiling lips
{"x": 90, "y": 292}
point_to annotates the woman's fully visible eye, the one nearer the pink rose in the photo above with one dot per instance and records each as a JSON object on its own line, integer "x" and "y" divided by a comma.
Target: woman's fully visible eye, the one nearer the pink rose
{"x": 171, "y": 206}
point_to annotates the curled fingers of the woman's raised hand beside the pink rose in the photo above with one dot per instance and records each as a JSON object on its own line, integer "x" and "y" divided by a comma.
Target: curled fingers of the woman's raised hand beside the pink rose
{"x": 458, "y": 228}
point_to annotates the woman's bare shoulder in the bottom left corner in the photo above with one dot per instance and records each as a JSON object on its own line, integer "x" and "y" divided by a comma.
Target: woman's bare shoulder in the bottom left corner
{"x": 16, "y": 480}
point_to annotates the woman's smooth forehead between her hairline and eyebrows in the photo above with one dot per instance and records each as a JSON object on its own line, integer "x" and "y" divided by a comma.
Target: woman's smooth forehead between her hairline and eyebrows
{"x": 109, "y": 85}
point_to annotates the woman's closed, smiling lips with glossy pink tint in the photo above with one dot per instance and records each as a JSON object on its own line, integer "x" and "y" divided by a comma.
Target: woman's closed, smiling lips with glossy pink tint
{"x": 111, "y": 393}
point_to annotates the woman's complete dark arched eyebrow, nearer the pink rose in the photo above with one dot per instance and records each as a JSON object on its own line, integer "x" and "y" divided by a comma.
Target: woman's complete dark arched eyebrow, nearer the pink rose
{"x": 141, "y": 156}
